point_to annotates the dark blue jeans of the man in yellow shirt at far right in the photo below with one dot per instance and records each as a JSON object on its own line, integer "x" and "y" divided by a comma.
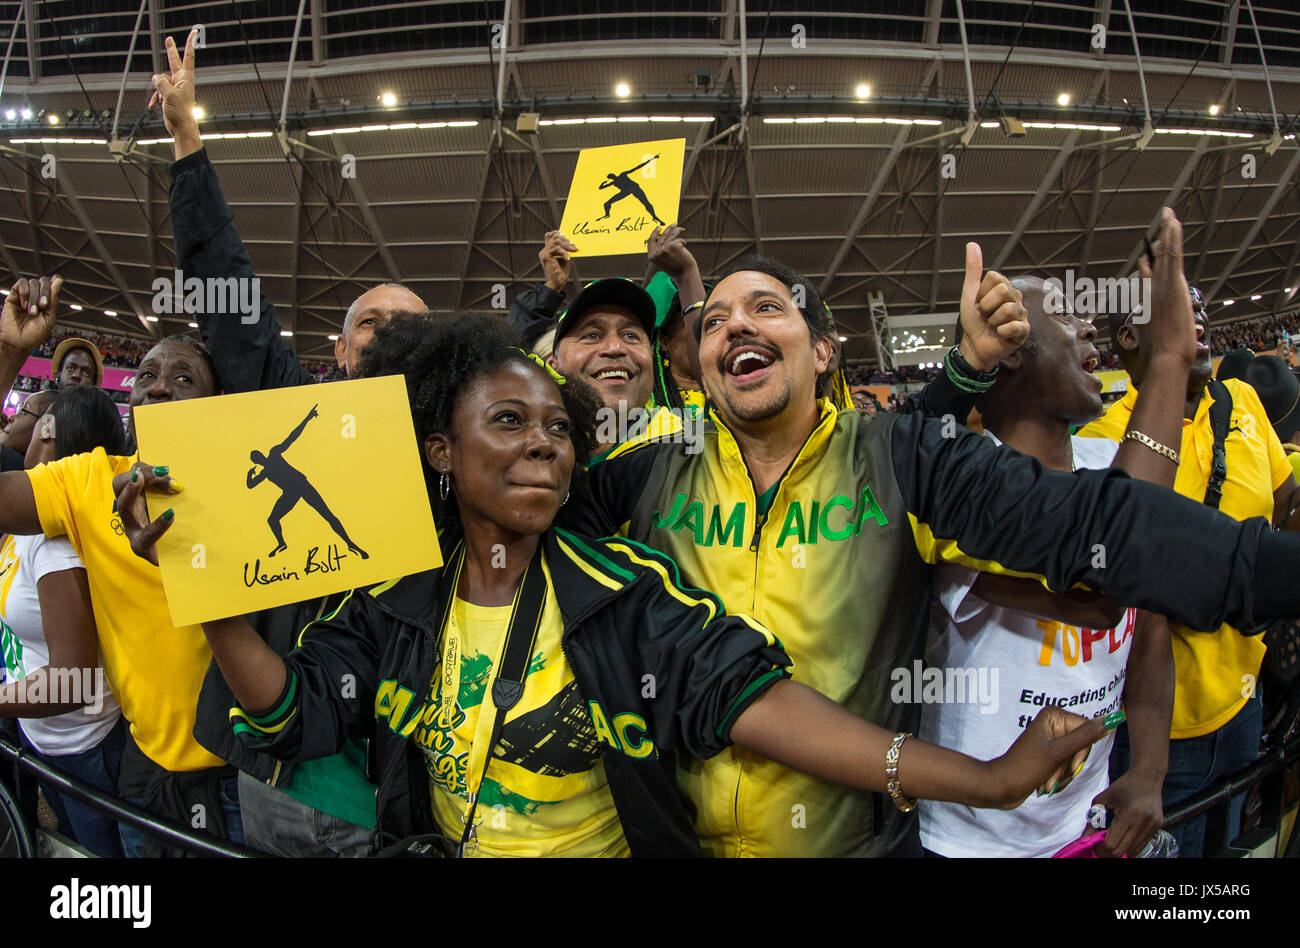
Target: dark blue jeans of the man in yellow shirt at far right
{"x": 1199, "y": 763}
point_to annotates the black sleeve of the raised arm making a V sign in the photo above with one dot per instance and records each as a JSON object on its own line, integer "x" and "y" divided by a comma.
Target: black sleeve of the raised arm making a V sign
{"x": 250, "y": 356}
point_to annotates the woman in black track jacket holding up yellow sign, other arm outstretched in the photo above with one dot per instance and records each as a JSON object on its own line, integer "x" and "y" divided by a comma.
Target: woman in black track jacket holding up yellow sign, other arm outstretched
{"x": 531, "y": 696}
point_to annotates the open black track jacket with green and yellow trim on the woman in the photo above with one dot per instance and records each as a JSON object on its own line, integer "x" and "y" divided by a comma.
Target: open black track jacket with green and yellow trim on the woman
{"x": 627, "y": 617}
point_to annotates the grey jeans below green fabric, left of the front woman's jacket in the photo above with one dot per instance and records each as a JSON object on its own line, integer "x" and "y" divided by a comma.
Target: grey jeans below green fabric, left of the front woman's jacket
{"x": 280, "y": 825}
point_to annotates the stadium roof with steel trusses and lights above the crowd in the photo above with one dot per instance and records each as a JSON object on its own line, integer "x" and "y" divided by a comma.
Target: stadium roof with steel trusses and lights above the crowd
{"x": 864, "y": 193}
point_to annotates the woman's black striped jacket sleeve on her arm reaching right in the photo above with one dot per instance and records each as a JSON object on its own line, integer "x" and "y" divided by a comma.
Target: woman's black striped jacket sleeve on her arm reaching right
{"x": 708, "y": 666}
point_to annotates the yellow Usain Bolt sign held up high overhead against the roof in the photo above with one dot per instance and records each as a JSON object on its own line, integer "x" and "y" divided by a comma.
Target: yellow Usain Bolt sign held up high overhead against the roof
{"x": 621, "y": 194}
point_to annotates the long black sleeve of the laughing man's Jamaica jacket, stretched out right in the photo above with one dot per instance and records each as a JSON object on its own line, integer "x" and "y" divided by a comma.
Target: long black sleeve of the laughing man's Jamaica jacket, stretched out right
{"x": 998, "y": 510}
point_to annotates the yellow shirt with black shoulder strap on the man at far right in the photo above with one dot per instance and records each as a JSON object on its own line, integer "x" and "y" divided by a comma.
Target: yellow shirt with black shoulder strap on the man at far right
{"x": 1215, "y": 672}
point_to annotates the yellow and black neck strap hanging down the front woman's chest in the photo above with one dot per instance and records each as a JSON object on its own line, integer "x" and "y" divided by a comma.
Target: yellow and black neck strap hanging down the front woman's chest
{"x": 506, "y": 685}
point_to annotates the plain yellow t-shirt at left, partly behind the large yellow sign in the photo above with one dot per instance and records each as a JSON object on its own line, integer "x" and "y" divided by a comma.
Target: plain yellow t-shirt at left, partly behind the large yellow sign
{"x": 154, "y": 668}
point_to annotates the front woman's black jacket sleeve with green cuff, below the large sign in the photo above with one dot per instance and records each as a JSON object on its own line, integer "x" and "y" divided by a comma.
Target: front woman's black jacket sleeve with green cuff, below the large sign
{"x": 330, "y": 690}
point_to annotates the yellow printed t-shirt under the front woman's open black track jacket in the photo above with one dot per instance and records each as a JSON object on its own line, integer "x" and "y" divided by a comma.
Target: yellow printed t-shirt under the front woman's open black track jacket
{"x": 545, "y": 793}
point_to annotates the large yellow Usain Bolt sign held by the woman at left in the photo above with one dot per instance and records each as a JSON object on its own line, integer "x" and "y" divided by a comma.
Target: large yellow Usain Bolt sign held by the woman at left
{"x": 288, "y": 495}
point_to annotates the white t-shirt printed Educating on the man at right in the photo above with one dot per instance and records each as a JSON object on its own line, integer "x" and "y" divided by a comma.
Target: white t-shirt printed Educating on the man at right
{"x": 1035, "y": 663}
